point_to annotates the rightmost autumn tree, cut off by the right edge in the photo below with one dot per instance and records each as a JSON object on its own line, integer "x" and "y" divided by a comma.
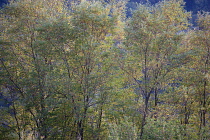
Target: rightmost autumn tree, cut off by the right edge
{"x": 198, "y": 69}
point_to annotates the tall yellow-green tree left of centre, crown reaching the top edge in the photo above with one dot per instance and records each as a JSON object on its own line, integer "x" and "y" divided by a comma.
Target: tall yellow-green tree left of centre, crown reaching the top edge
{"x": 93, "y": 30}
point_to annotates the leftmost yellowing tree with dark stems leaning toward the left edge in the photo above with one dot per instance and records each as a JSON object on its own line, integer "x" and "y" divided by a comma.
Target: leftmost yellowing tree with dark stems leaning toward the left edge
{"x": 25, "y": 66}
